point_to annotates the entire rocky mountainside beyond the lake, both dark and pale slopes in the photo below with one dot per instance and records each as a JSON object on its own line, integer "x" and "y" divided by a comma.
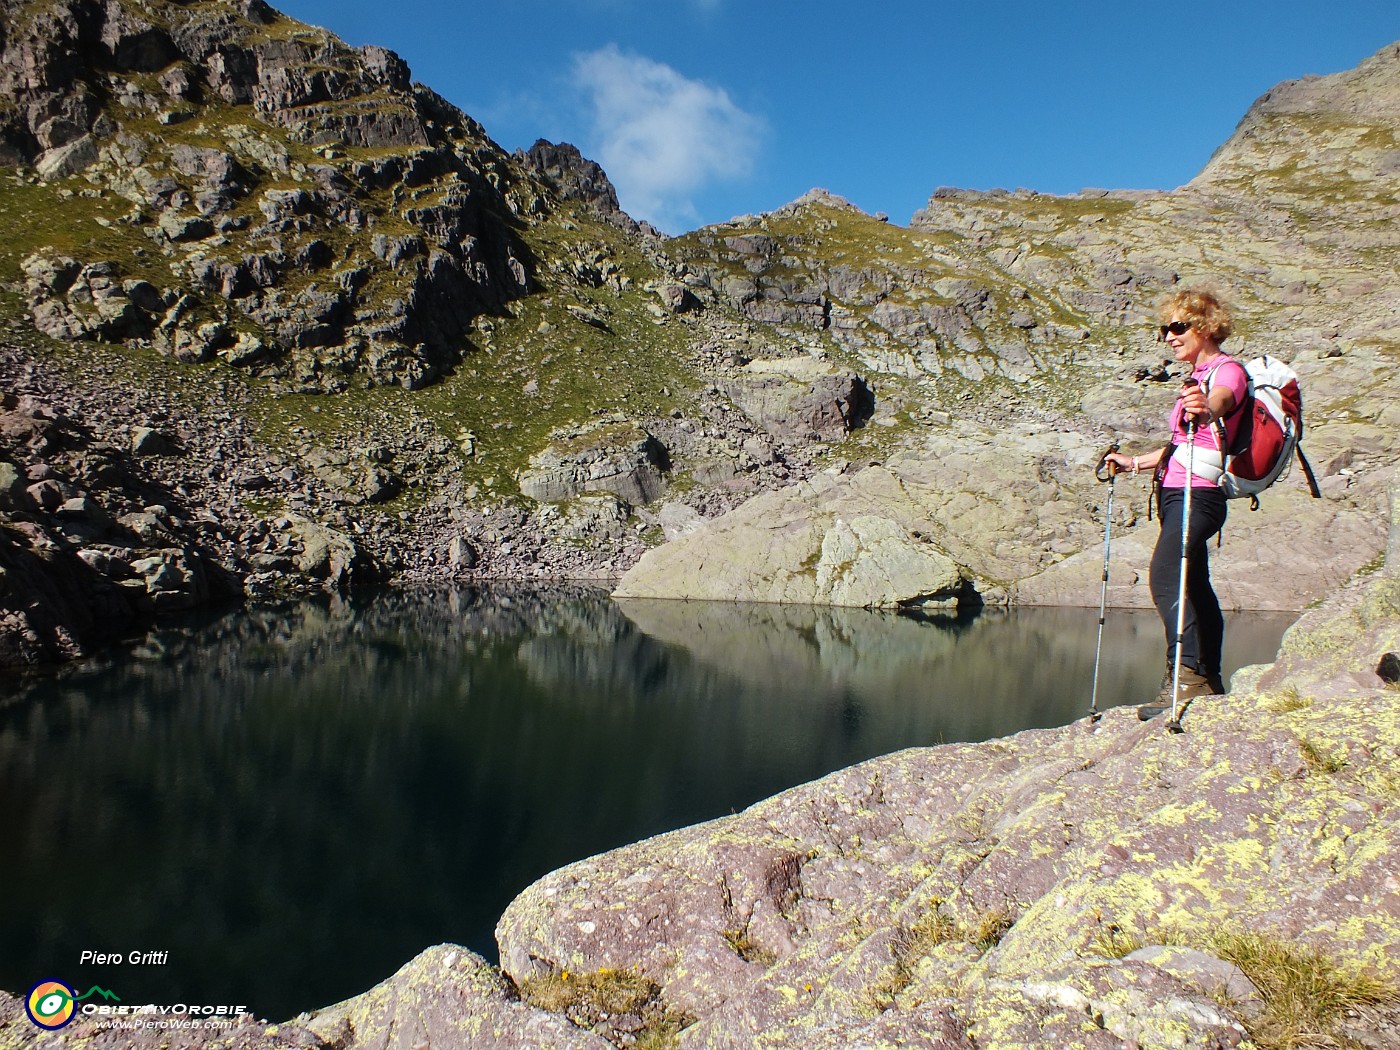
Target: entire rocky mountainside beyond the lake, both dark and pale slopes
{"x": 362, "y": 314}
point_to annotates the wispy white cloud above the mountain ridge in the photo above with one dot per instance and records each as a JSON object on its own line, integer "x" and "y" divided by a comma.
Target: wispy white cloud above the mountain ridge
{"x": 661, "y": 136}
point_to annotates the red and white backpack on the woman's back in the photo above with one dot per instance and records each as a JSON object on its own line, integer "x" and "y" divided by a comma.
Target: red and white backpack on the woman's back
{"x": 1269, "y": 435}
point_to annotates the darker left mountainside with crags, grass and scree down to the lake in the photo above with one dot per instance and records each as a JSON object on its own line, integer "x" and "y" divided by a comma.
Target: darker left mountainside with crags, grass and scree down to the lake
{"x": 344, "y": 311}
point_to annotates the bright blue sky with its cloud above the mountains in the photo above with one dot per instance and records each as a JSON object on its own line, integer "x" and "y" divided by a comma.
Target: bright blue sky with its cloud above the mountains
{"x": 705, "y": 110}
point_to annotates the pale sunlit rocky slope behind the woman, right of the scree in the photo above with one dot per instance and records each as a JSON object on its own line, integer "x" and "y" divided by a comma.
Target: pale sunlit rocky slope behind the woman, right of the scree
{"x": 1020, "y": 325}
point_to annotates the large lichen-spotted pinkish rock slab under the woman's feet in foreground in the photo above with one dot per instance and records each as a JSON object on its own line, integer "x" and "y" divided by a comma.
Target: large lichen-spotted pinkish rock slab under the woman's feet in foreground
{"x": 986, "y": 895}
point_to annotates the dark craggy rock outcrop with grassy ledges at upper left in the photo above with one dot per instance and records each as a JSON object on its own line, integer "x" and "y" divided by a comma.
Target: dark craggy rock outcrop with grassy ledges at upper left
{"x": 281, "y": 260}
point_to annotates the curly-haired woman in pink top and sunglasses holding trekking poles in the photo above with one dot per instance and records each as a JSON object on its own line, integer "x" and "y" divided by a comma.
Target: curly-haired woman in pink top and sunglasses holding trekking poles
{"x": 1195, "y": 324}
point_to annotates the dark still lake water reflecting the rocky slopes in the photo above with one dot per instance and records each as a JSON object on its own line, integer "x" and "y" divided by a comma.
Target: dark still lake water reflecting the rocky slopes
{"x": 293, "y": 803}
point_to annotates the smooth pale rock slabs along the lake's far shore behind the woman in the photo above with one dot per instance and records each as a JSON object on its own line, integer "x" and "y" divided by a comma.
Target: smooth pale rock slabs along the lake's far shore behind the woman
{"x": 1000, "y": 516}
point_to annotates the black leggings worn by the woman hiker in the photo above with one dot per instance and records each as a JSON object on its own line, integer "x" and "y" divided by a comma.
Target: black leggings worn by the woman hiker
{"x": 1203, "y": 628}
